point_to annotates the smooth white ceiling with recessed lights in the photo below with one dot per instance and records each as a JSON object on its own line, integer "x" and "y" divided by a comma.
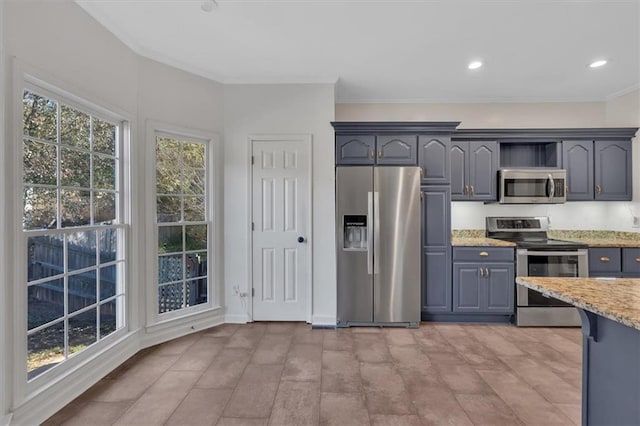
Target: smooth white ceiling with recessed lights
{"x": 394, "y": 51}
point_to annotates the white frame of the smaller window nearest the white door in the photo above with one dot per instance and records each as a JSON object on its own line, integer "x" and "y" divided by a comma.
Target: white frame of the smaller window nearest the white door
{"x": 213, "y": 217}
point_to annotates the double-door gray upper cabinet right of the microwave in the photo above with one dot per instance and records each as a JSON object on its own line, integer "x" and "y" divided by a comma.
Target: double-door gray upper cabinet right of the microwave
{"x": 597, "y": 170}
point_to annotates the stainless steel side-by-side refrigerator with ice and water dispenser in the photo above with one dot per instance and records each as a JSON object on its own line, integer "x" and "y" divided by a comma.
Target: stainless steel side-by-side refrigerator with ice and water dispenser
{"x": 379, "y": 245}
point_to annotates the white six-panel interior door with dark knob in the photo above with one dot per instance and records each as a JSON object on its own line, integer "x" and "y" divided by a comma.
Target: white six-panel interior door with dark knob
{"x": 281, "y": 229}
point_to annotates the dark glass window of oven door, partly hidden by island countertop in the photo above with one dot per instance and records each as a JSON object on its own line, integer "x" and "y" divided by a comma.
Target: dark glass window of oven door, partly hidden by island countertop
{"x": 550, "y": 266}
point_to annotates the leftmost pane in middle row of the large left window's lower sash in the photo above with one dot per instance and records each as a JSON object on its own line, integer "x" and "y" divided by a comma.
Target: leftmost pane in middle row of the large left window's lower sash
{"x": 45, "y": 303}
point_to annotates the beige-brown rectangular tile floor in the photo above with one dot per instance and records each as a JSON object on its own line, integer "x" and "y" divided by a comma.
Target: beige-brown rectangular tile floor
{"x": 288, "y": 374}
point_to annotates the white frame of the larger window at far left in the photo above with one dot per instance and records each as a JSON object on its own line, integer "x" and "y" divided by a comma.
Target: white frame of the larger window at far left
{"x": 29, "y": 79}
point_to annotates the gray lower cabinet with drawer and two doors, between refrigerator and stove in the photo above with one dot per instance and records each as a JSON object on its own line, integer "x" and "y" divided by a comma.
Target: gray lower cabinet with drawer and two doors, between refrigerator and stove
{"x": 483, "y": 287}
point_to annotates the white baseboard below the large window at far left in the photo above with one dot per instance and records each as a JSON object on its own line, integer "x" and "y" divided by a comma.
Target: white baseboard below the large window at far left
{"x": 46, "y": 403}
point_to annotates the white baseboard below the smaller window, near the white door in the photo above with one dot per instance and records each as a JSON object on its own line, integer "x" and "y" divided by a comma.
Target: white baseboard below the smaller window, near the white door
{"x": 172, "y": 329}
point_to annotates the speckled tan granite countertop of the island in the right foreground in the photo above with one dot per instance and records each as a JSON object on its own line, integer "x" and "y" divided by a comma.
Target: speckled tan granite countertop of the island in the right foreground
{"x": 616, "y": 299}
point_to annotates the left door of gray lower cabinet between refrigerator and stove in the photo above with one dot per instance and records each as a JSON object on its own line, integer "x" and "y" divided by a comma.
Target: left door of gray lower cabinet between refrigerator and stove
{"x": 467, "y": 288}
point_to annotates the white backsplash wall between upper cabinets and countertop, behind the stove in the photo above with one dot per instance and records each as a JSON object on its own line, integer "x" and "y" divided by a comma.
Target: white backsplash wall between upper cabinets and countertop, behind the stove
{"x": 592, "y": 215}
